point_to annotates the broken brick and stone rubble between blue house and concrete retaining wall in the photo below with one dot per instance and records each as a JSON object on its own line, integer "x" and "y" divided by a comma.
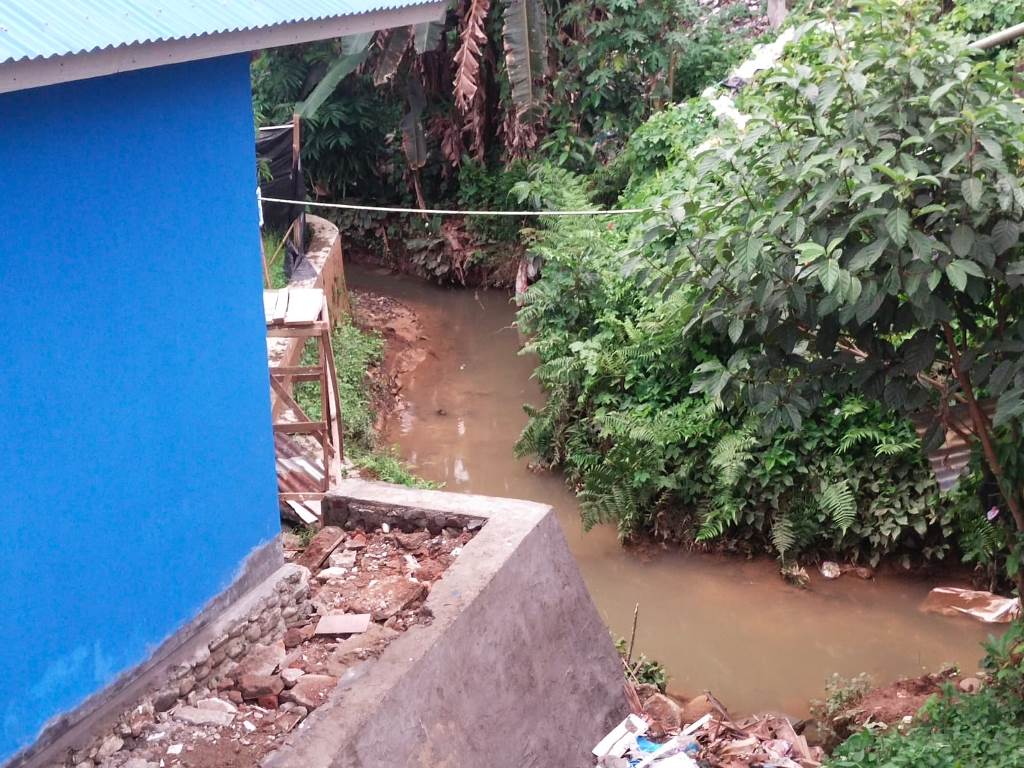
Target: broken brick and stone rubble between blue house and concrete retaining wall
{"x": 242, "y": 695}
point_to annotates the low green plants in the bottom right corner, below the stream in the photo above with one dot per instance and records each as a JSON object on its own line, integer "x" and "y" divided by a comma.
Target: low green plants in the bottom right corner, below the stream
{"x": 956, "y": 731}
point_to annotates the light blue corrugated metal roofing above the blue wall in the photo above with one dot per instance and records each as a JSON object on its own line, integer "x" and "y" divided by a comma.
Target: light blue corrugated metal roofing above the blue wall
{"x": 39, "y": 29}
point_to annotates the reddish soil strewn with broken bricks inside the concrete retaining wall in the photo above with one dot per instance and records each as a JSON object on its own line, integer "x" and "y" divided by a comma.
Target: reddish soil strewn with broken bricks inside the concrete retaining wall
{"x": 383, "y": 574}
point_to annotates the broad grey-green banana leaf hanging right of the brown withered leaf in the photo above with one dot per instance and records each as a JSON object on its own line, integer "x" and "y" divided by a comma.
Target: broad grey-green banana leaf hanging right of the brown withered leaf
{"x": 526, "y": 37}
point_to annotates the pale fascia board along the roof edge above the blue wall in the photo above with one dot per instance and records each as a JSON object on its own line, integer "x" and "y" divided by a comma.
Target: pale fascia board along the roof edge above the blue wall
{"x": 35, "y": 73}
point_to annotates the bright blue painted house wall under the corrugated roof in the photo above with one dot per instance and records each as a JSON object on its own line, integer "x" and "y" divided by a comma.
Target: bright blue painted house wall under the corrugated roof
{"x": 137, "y": 470}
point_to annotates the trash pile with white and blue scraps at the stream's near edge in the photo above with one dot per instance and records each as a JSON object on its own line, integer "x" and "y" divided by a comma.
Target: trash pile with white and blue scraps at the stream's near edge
{"x": 654, "y": 736}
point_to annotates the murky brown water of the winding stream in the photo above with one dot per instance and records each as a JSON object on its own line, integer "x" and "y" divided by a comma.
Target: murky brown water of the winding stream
{"x": 726, "y": 625}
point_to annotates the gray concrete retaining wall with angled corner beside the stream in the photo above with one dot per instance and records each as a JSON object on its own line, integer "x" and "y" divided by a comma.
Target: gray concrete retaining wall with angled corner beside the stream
{"x": 517, "y": 669}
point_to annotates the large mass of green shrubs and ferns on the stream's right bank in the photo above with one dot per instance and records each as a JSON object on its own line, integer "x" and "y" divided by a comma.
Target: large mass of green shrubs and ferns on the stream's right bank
{"x": 735, "y": 365}
